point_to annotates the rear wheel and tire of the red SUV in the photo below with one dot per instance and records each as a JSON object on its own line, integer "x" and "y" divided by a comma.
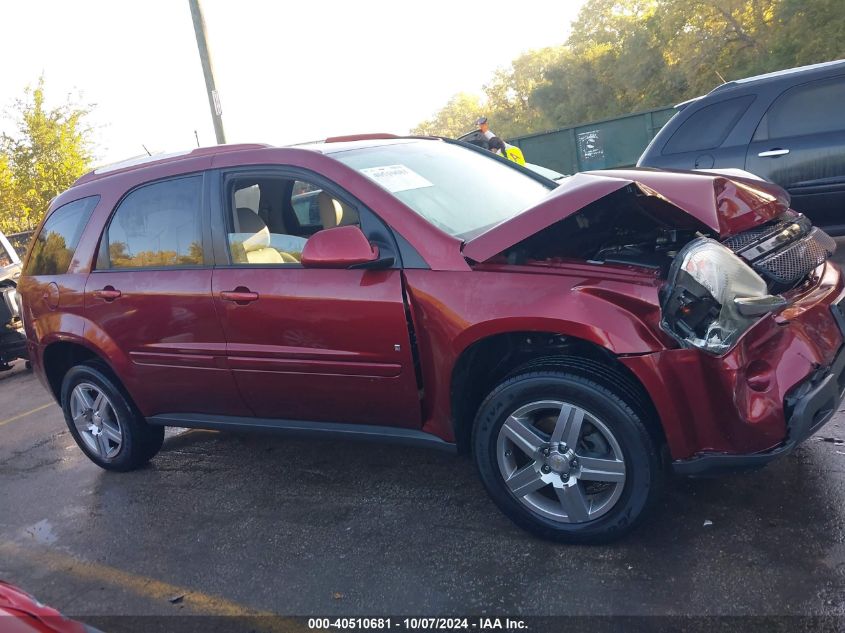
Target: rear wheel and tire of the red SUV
{"x": 104, "y": 422}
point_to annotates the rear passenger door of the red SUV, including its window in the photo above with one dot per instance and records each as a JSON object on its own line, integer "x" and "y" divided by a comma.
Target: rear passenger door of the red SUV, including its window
{"x": 150, "y": 297}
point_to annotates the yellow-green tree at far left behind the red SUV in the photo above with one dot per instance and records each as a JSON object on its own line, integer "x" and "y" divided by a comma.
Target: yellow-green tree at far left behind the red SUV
{"x": 49, "y": 150}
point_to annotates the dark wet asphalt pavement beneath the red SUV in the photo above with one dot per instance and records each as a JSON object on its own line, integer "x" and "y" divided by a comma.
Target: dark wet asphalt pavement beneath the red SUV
{"x": 245, "y": 525}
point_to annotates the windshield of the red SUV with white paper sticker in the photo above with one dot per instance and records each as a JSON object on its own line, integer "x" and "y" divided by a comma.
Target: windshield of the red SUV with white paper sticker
{"x": 456, "y": 189}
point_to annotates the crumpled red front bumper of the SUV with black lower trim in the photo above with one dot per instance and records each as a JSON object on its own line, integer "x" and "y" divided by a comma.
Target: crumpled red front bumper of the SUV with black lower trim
{"x": 776, "y": 387}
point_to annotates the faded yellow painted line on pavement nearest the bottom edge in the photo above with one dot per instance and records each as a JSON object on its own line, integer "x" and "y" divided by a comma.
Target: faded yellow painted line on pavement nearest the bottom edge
{"x": 151, "y": 588}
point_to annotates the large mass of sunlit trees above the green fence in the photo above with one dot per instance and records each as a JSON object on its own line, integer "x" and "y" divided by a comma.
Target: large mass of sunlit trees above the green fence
{"x": 625, "y": 56}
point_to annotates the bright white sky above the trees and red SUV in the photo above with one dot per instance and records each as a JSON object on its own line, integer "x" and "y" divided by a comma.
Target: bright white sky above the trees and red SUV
{"x": 286, "y": 72}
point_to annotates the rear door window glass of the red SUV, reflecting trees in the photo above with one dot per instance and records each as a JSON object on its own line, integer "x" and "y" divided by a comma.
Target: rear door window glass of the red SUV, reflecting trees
{"x": 156, "y": 225}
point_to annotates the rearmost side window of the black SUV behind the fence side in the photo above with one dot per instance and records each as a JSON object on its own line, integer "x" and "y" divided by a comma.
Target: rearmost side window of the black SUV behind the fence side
{"x": 708, "y": 128}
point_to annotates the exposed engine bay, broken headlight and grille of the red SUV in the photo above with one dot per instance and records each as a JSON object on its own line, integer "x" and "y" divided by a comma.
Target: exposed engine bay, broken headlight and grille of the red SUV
{"x": 716, "y": 289}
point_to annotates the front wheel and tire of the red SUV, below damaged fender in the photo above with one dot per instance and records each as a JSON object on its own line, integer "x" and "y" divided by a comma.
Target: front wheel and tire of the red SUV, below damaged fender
{"x": 565, "y": 455}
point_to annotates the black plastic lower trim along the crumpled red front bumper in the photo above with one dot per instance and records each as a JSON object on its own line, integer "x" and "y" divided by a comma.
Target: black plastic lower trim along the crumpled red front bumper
{"x": 809, "y": 407}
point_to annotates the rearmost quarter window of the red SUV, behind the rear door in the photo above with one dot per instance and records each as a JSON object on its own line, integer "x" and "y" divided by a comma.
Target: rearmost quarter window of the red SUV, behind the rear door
{"x": 56, "y": 243}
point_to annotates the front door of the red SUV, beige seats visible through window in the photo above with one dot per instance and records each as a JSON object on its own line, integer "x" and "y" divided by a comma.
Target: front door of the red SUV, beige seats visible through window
{"x": 329, "y": 345}
